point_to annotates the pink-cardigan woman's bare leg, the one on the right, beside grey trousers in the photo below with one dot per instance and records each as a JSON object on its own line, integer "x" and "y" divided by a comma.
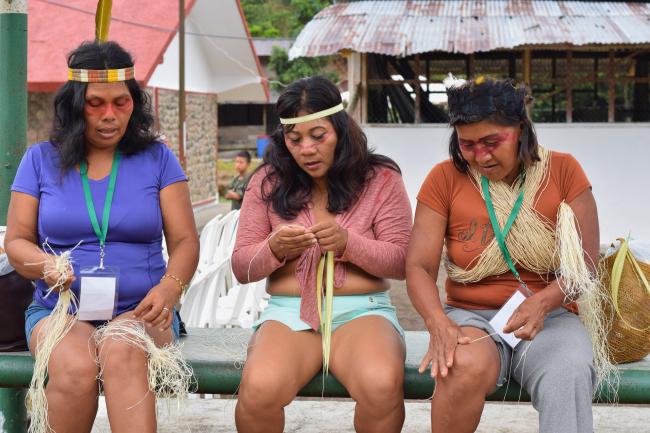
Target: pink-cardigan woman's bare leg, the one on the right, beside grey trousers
{"x": 368, "y": 358}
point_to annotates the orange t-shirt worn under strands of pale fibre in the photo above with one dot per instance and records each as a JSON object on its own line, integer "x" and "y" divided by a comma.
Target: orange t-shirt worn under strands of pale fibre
{"x": 452, "y": 194}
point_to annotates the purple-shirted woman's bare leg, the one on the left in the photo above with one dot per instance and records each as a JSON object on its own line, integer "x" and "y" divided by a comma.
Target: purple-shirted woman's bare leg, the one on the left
{"x": 72, "y": 387}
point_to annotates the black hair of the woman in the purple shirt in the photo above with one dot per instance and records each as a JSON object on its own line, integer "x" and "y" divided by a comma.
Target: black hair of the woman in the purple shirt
{"x": 68, "y": 131}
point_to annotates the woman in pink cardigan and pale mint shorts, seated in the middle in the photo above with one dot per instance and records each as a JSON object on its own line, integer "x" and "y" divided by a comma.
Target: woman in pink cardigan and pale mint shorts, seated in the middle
{"x": 321, "y": 189}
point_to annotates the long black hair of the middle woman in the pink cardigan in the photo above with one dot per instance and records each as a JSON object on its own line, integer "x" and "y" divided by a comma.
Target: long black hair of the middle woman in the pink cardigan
{"x": 354, "y": 164}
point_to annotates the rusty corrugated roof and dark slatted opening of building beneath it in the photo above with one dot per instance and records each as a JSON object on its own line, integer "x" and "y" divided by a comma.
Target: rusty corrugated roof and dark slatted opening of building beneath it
{"x": 588, "y": 61}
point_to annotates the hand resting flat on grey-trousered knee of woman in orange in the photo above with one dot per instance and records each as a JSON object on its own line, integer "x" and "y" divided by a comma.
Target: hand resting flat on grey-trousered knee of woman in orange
{"x": 444, "y": 337}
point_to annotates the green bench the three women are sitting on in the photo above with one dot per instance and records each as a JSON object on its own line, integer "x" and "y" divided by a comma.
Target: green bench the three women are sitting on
{"x": 217, "y": 357}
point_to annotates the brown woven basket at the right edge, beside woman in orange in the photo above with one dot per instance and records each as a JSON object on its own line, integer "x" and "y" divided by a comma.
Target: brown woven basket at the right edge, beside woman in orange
{"x": 628, "y": 301}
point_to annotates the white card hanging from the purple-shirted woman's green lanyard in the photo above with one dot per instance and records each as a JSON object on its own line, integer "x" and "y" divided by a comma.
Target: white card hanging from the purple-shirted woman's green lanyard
{"x": 97, "y": 298}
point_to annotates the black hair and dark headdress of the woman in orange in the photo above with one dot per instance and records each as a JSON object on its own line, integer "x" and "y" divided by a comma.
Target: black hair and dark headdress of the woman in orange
{"x": 498, "y": 101}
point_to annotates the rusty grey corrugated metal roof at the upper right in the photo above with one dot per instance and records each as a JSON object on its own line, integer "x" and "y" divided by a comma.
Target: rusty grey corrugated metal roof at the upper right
{"x": 402, "y": 28}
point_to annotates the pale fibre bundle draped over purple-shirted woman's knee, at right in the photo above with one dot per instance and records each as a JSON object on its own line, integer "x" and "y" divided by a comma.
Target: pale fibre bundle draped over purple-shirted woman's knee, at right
{"x": 169, "y": 374}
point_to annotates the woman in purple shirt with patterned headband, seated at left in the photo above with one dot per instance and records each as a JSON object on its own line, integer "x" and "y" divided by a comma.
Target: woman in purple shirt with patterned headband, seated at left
{"x": 102, "y": 142}
